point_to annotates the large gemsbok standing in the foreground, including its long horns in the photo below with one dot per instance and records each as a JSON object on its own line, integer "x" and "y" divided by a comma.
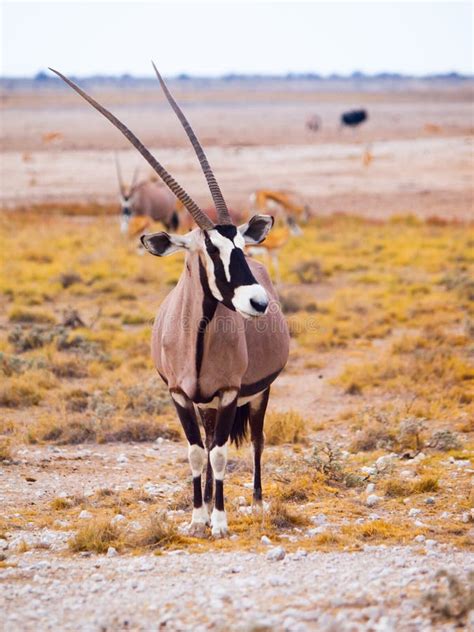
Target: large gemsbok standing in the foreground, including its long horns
{"x": 219, "y": 338}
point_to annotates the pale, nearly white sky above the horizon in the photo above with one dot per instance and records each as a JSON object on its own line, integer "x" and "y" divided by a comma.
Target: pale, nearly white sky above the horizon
{"x": 203, "y": 38}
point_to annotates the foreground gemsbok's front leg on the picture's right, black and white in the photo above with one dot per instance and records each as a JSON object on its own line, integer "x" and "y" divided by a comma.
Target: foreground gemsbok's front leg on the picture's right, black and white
{"x": 218, "y": 458}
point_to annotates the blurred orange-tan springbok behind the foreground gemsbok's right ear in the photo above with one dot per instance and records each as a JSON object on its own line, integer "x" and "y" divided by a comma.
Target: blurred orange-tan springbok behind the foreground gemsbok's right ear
{"x": 287, "y": 214}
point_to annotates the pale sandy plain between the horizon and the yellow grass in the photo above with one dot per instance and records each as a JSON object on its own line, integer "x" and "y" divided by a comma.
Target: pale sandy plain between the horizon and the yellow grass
{"x": 420, "y": 141}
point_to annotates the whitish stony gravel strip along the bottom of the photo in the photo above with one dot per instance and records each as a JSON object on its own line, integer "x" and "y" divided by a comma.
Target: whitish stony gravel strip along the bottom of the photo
{"x": 228, "y": 591}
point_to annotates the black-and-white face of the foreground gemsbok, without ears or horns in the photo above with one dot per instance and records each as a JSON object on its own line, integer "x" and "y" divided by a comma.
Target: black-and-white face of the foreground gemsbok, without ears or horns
{"x": 229, "y": 276}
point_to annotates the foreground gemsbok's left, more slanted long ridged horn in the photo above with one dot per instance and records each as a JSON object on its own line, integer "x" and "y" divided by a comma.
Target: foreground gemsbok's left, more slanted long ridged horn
{"x": 199, "y": 216}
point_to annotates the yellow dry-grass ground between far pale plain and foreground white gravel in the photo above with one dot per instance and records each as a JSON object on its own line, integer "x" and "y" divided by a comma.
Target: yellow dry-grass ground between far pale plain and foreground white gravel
{"x": 378, "y": 391}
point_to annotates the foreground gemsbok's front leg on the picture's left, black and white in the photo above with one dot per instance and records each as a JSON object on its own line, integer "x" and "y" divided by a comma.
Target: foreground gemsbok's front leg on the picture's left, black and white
{"x": 197, "y": 459}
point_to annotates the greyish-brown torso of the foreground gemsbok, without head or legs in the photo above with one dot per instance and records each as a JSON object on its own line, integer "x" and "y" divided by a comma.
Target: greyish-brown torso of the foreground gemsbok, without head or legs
{"x": 237, "y": 353}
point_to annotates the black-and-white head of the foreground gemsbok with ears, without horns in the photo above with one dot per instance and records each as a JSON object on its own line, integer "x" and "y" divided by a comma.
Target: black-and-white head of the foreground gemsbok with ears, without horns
{"x": 229, "y": 278}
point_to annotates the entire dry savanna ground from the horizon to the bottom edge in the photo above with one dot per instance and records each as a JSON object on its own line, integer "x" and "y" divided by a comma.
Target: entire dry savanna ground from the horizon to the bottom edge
{"x": 368, "y": 467}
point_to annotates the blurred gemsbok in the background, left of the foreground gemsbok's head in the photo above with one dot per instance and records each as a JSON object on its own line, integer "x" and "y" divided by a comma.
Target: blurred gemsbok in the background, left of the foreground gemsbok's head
{"x": 144, "y": 202}
